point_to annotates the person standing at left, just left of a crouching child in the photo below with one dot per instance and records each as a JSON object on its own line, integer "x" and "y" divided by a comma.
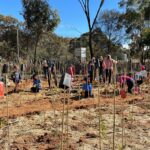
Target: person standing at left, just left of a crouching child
{"x": 16, "y": 77}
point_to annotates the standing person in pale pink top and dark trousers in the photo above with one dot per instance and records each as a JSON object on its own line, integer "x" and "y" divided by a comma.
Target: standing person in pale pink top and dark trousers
{"x": 108, "y": 66}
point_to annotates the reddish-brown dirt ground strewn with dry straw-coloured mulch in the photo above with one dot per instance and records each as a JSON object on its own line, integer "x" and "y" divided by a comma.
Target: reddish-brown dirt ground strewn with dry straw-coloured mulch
{"x": 34, "y": 121}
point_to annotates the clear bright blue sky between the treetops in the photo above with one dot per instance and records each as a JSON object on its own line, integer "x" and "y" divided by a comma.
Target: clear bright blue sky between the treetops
{"x": 73, "y": 21}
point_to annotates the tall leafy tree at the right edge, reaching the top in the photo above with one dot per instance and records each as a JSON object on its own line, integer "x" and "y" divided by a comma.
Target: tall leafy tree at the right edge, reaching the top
{"x": 133, "y": 20}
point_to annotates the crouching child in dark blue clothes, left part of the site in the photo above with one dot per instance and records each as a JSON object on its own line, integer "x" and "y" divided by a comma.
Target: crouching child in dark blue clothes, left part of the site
{"x": 36, "y": 84}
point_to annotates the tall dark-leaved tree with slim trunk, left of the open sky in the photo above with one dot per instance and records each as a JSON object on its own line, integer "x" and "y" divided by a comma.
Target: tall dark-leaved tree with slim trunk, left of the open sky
{"x": 39, "y": 18}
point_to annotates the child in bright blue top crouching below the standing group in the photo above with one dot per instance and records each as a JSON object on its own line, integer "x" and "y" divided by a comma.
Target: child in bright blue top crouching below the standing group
{"x": 87, "y": 88}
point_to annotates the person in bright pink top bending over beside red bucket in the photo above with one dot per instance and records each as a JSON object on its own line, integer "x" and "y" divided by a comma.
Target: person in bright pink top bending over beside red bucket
{"x": 128, "y": 80}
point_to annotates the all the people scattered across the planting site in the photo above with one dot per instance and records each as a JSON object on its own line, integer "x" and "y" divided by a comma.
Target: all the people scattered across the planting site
{"x": 98, "y": 69}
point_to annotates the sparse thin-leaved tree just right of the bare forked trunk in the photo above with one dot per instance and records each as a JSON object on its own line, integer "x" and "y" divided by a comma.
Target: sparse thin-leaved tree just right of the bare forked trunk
{"x": 109, "y": 23}
